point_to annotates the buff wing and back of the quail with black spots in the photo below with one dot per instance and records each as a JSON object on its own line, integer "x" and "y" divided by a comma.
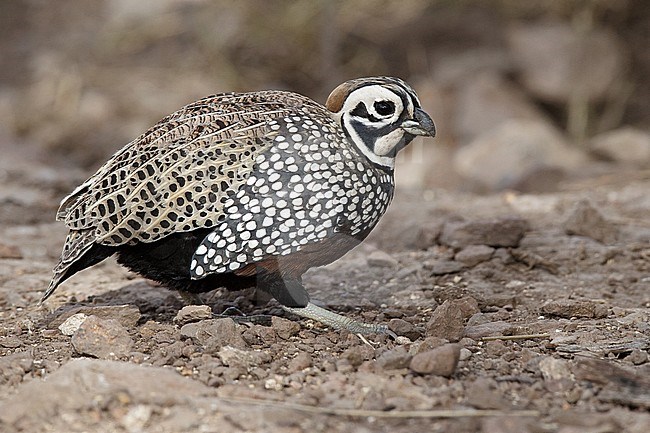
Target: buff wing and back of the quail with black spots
{"x": 177, "y": 176}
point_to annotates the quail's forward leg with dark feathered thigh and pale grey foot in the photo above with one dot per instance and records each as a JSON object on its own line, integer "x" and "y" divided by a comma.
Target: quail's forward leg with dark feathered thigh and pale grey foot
{"x": 294, "y": 298}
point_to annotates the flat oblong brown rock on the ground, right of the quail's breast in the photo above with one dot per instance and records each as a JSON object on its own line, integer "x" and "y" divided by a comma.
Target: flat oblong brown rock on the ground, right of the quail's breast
{"x": 498, "y": 232}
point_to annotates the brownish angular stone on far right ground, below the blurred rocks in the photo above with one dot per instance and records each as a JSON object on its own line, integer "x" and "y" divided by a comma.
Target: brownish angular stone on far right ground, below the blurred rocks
{"x": 586, "y": 220}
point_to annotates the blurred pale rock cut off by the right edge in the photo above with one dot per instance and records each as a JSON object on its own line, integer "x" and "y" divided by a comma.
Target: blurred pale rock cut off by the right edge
{"x": 626, "y": 145}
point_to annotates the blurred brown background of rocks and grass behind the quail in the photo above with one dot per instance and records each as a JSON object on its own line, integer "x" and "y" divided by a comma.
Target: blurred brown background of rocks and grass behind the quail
{"x": 527, "y": 95}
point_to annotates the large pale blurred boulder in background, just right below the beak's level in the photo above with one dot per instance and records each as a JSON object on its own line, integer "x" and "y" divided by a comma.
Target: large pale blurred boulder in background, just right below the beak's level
{"x": 509, "y": 154}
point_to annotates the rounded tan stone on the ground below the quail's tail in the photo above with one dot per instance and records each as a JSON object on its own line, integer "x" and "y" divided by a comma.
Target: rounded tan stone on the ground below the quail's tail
{"x": 102, "y": 338}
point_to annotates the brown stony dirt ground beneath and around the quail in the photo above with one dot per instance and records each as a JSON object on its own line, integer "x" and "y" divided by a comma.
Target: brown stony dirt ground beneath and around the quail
{"x": 514, "y": 313}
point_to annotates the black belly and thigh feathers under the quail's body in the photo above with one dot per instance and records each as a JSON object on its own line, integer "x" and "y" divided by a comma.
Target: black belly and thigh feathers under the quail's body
{"x": 167, "y": 261}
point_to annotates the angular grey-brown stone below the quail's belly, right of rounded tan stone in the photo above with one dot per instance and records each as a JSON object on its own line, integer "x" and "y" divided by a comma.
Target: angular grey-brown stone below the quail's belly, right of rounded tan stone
{"x": 213, "y": 334}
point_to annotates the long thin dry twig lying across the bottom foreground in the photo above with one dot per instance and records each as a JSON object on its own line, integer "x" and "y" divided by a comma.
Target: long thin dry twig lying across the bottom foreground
{"x": 379, "y": 413}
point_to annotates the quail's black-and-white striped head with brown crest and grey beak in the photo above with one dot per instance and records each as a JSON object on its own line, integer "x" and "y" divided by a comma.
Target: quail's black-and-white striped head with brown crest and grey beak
{"x": 380, "y": 116}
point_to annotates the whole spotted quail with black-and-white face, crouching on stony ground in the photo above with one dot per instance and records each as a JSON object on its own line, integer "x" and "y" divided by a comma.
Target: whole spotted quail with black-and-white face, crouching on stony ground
{"x": 240, "y": 190}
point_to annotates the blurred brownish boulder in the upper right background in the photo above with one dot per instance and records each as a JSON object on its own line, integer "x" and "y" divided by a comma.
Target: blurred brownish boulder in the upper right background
{"x": 556, "y": 62}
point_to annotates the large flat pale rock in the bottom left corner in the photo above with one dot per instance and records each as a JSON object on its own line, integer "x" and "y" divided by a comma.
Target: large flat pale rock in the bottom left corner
{"x": 102, "y": 388}
